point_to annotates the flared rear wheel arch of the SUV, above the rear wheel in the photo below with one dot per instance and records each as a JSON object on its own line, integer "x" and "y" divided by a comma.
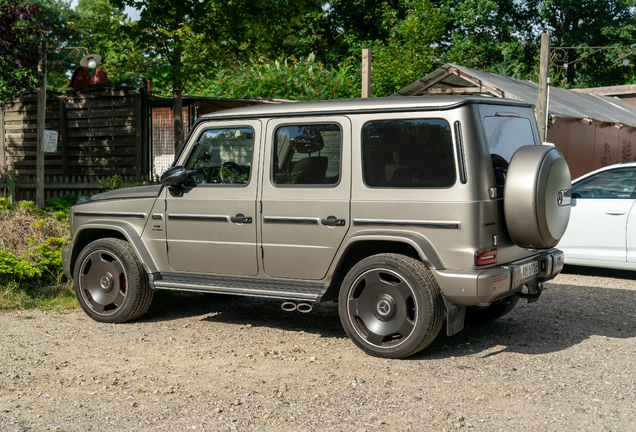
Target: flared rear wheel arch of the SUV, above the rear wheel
{"x": 370, "y": 243}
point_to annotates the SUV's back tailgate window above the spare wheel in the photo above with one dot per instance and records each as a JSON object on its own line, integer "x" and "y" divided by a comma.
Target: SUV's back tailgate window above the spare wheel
{"x": 506, "y": 134}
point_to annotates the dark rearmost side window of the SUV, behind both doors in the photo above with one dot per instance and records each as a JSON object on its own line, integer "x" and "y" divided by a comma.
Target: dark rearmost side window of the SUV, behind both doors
{"x": 408, "y": 154}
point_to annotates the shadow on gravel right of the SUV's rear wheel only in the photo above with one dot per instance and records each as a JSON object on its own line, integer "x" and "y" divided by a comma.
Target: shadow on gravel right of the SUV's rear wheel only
{"x": 564, "y": 316}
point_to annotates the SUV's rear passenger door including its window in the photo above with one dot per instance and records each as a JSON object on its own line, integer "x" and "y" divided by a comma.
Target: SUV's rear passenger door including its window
{"x": 305, "y": 196}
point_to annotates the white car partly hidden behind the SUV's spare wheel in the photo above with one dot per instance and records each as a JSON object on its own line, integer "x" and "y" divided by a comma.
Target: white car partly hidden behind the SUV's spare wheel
{"x": 602, "y": 228}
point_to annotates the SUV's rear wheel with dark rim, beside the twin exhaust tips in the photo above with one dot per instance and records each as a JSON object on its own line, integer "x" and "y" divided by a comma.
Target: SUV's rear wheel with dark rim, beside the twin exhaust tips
{"x": 391, "y": 306}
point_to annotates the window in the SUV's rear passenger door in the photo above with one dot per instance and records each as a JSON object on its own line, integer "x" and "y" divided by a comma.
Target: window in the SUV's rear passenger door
{"x": 307, "y": 154}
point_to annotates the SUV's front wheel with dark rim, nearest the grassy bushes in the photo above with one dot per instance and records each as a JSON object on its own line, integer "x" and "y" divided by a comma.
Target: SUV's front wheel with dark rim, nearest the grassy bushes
{"x": 110, "y": 283}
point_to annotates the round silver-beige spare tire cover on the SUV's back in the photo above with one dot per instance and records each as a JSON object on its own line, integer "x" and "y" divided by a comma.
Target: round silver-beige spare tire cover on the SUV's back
{"x": 537, "y": 197}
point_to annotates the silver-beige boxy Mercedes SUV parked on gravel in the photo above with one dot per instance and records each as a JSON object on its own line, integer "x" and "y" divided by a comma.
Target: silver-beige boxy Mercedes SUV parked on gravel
{"x": 408, "y": 212}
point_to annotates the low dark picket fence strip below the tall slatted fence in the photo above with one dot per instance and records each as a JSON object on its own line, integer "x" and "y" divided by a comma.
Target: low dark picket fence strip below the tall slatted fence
{"x": 22, "y": 188}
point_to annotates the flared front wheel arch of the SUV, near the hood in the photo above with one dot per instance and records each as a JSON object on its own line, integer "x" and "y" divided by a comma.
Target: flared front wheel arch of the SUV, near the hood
{"x": 90, "y": 232}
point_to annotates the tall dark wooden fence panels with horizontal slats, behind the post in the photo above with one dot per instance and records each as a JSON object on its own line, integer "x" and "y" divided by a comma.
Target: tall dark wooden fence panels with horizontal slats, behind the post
{"x": 101, "y": 133}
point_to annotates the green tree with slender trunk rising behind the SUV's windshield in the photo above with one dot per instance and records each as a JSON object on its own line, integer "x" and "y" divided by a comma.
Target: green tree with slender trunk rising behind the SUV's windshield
{"x": 179, "y": 41}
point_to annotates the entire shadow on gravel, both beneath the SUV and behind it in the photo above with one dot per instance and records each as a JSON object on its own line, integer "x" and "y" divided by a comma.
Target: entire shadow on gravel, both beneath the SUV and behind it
{"x": 564, "y": 316}
